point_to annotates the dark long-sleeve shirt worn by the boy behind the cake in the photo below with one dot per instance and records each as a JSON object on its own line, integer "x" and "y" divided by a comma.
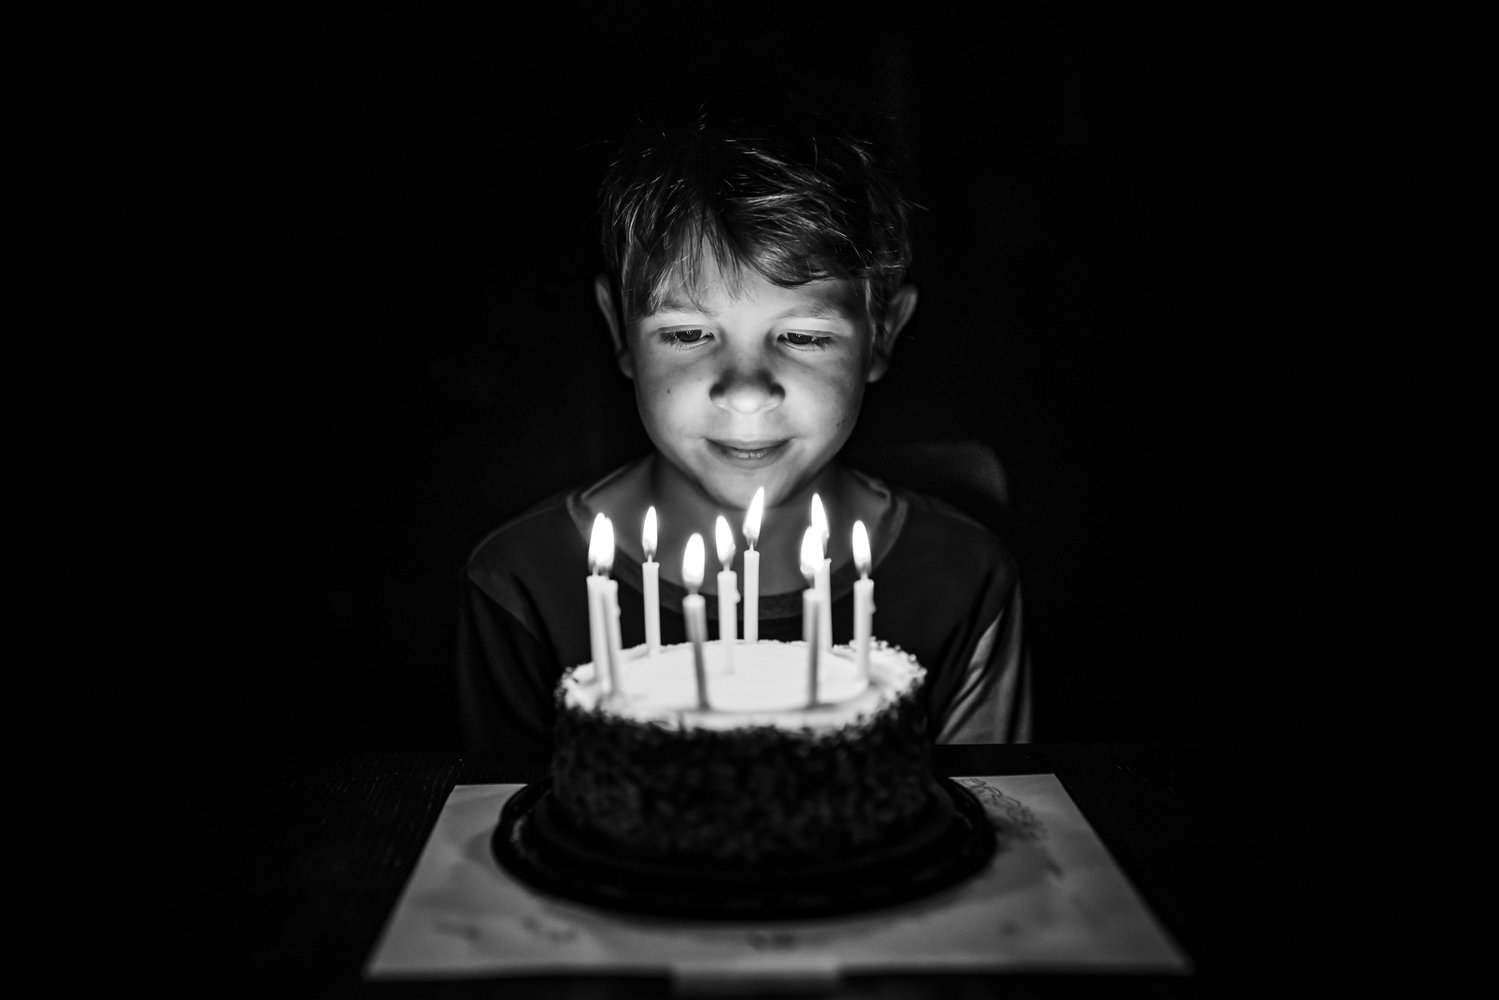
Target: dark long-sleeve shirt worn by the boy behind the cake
{"x": 947, "y": 591}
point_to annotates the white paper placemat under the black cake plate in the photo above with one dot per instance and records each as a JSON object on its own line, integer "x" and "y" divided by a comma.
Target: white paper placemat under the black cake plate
{"x": 1053, "y": 899}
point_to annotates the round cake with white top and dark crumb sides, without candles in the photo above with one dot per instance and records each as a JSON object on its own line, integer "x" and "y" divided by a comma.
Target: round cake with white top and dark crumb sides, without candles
{"x": 764, "y": 776}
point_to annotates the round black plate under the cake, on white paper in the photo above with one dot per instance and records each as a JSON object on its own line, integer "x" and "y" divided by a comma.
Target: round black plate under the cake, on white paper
{"x": 951, "y": 842}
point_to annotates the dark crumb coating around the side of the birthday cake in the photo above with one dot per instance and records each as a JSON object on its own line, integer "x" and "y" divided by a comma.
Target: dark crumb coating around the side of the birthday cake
{"x": 753, "y": 795}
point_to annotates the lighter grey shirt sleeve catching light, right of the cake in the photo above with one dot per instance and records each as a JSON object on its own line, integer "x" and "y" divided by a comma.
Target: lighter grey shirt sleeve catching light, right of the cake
{"x": 992, "y": 701}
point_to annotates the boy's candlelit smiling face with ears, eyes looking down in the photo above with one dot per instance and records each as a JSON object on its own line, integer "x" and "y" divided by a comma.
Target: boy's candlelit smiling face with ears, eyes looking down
{"x": 755, "y": 386}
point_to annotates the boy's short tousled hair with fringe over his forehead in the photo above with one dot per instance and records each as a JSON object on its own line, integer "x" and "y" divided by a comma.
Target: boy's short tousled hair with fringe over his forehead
{"x": 779, "y": 185}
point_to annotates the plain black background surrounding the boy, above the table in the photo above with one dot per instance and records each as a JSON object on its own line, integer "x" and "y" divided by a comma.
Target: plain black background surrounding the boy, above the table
{"x": 308, "y": 311}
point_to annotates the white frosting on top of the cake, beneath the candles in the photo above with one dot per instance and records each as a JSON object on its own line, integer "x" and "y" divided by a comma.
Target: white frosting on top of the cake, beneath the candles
{"x": 767, "y": 684}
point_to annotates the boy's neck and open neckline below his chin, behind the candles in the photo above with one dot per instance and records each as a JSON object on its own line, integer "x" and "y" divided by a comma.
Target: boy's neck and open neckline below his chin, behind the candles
{"x": 684, "y": 509}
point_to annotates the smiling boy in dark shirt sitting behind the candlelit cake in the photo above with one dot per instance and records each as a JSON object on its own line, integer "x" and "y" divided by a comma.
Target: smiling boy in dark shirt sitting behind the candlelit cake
{"x": 756, "y": 286}
